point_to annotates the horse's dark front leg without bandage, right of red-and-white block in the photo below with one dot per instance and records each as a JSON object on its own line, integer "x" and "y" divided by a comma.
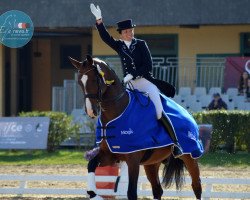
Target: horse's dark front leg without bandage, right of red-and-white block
{"x": 133, "y": 173}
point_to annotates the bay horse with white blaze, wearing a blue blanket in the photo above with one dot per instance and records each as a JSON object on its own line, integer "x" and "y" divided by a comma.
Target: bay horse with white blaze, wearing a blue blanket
{"x": 104, "y": 92}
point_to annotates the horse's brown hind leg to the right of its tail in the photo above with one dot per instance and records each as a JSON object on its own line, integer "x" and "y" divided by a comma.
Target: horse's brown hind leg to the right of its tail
{"x": 194, "y": 171}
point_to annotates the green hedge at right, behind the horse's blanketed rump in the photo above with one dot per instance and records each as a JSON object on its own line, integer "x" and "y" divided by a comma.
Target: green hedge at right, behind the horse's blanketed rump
{"x": 230, "y": 128}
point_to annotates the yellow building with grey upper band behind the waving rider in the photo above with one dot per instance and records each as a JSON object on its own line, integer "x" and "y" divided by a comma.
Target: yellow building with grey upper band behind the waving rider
{"x": 181, "y": 29}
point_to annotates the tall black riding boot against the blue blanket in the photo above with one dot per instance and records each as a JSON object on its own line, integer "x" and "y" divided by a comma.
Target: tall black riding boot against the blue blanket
{"x": 177, "y": 150}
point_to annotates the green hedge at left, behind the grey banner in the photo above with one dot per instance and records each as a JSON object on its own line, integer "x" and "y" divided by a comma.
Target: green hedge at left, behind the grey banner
{"x": 60, "y": 128}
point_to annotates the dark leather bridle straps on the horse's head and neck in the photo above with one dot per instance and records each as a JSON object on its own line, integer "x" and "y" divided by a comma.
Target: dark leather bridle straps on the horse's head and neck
{"x": 99, "y": 95}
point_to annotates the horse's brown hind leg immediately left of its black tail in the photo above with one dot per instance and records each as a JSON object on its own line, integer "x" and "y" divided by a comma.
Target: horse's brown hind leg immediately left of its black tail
{"x": 153, "y": 177}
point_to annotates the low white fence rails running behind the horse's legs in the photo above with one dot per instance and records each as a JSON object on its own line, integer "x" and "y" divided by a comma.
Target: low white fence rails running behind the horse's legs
{"x": 142, "y": 191}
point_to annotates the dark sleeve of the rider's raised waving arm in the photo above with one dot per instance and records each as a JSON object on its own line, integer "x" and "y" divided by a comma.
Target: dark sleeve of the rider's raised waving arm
{"x": 104, "y": 34}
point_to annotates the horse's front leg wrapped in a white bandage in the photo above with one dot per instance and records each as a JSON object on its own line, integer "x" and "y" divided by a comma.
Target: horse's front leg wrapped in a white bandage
{"x": 91, "y": 187}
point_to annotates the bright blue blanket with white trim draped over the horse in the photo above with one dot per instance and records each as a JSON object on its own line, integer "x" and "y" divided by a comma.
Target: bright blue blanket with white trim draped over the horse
{"x": 137, "y": 128}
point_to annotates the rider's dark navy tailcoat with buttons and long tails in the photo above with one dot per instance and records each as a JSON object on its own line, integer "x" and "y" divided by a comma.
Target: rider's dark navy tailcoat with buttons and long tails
{"x": 136, "y": 60}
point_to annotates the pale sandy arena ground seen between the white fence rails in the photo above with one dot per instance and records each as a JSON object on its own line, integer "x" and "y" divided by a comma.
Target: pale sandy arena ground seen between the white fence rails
{"x": 216, "y": 172}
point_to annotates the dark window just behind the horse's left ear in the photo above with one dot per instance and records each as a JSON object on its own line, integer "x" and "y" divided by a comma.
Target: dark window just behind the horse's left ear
{"x": 73, "y": 51}
